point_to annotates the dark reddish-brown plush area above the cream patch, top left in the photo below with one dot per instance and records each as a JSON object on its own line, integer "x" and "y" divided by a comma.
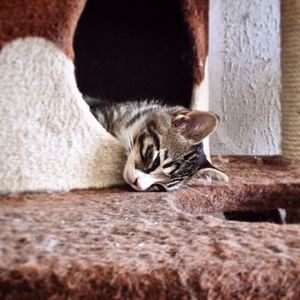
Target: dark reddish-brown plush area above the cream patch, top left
{"x": 54, "y": 20}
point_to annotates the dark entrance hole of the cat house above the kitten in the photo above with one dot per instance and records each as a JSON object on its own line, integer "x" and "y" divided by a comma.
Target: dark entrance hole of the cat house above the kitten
{"x": 134, "y": 50}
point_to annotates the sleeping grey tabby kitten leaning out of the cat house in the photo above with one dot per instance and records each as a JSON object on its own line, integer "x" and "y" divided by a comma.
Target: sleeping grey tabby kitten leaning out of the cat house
{"x": 163, "y": 143}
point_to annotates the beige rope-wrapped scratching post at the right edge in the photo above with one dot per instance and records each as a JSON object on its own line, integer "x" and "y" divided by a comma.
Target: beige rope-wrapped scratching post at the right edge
{"x": 290, "y": 12}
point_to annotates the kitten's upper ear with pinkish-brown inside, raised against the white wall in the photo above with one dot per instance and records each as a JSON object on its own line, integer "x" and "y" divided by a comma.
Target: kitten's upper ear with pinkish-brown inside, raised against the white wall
{"x": 196, "y": 125}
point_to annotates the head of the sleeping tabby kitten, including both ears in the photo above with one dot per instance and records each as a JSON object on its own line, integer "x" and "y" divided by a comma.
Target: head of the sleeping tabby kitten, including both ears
{"x": 168, "y": 150}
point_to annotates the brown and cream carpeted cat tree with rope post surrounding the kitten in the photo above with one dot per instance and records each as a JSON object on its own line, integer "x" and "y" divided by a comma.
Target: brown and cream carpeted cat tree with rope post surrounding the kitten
{"x": 113, "y": 243}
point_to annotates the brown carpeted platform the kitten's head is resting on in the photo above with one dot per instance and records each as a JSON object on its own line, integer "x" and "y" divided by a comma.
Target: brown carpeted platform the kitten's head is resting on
{"x": 119, "y": 244}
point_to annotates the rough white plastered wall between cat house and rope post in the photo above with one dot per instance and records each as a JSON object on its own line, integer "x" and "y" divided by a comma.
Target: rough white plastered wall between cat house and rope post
{"x": 244, "y": 75}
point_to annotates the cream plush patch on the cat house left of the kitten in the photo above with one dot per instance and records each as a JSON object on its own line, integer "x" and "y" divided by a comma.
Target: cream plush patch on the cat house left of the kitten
{"x": 49, "y": 140}
